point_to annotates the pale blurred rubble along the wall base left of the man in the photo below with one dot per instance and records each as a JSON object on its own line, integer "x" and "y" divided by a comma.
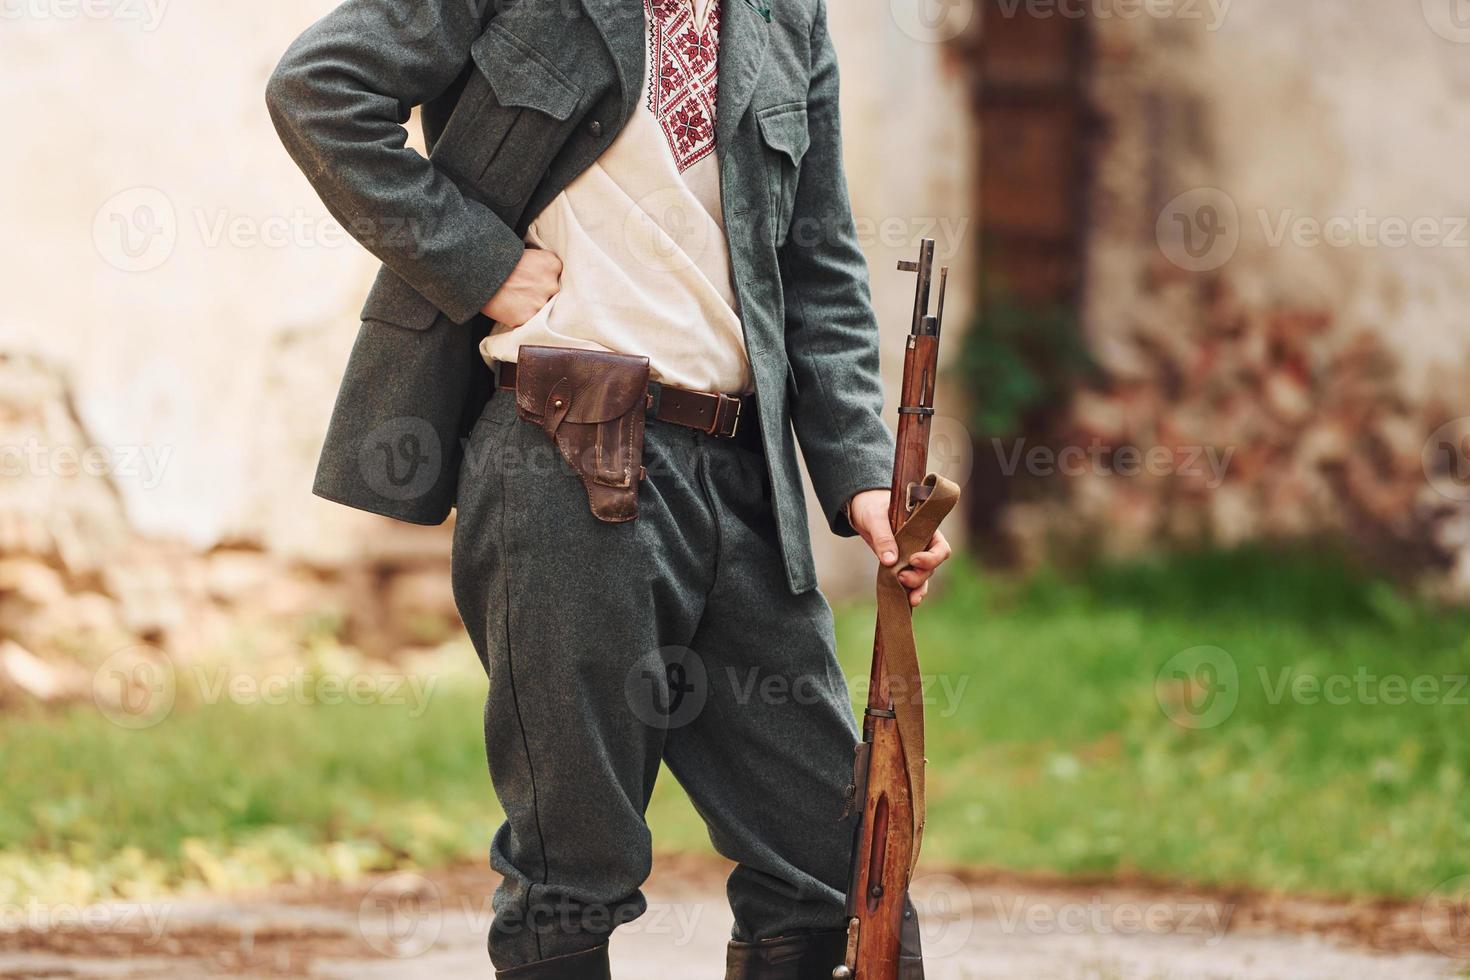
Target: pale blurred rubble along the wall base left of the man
{"x": 79, "y": 586}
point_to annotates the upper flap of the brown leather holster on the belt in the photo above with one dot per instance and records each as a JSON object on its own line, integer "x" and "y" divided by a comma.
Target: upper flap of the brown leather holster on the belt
{"x": 600, "y": 386}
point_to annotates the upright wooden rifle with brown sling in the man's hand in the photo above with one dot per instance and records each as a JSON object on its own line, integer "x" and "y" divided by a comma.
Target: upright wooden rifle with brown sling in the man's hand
{"x": 883, "y": 934}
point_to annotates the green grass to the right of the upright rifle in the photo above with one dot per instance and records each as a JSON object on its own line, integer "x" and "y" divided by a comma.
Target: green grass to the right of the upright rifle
{"x": 1062, "y": 756}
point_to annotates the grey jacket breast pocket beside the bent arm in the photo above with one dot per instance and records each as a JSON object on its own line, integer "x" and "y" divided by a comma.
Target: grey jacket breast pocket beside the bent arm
{"x": 512, "y": 120}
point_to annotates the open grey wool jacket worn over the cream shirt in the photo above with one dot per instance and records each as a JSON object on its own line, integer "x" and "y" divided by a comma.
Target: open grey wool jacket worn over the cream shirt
{"x": 520, "y": 98}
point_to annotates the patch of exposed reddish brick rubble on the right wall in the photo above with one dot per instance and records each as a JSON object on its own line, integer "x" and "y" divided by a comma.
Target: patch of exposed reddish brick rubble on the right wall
{"x": 1221, "y": 425}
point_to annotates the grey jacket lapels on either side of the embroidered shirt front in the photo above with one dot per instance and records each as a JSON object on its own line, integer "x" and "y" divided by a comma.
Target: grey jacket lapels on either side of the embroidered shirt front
{"x": 745, "y": 33}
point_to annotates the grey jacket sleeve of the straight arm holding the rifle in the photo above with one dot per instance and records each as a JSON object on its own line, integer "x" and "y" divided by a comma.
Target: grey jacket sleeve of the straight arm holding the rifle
{"x": 831, "y": 330}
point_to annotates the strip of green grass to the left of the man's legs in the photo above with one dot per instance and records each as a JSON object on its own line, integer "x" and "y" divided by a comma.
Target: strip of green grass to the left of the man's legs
{"x": 234, "y": 796}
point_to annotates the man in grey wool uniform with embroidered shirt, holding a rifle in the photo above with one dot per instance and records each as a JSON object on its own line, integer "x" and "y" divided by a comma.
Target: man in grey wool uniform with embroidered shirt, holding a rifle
{"x": 620, "y": 290}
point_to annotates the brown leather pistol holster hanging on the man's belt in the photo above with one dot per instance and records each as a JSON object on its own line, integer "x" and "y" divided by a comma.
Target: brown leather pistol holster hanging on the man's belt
{"x": 592, "y": 405}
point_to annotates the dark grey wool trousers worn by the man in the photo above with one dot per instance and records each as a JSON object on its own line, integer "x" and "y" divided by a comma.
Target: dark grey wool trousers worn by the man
{"x": 612, "y": 649}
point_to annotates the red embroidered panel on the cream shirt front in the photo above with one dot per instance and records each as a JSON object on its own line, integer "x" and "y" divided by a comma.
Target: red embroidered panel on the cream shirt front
{"x": 681, "y": 92}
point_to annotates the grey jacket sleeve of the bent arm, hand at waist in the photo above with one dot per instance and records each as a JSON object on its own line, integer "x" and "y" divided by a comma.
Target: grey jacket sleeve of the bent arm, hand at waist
{"x": 340, "y": 99}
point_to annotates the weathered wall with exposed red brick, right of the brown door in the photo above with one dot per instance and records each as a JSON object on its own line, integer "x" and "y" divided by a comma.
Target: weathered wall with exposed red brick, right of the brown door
{"x": 1277, "y": 273}
